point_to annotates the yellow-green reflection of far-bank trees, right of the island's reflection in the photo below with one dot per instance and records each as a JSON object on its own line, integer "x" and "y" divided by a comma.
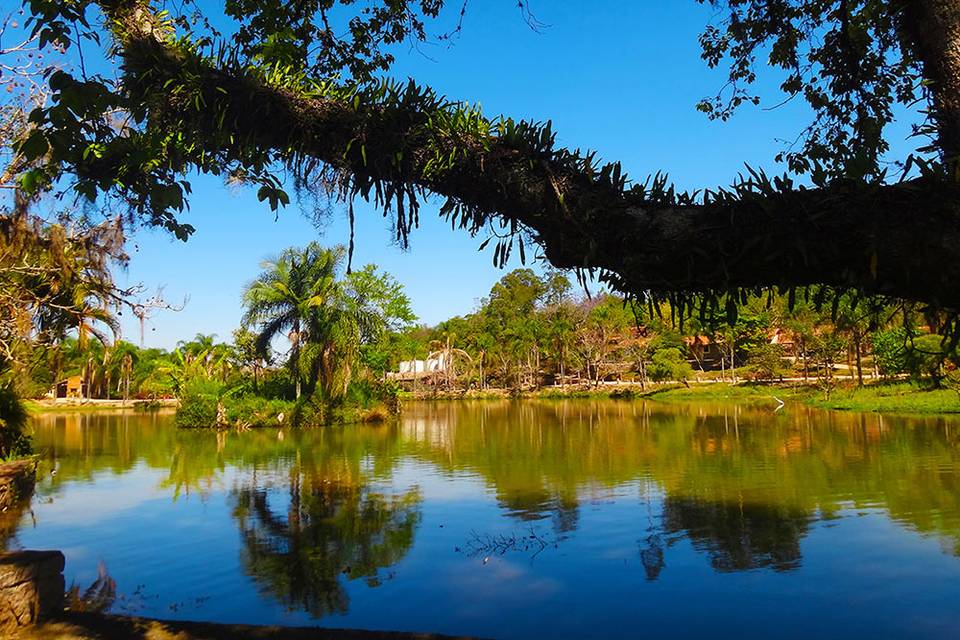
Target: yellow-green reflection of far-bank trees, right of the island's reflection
{"x": 542, "y": 458}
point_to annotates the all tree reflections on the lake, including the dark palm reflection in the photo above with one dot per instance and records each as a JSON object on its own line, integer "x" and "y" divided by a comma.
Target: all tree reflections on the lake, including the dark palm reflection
{"x": 320, "y": 512}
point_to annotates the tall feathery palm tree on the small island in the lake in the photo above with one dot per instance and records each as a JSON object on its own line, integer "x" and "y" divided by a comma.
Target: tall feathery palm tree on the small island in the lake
{"x": 299, "y": 295}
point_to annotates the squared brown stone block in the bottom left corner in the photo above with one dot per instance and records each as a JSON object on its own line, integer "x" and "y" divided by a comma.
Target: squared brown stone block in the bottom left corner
{"x": 31, "y": 588}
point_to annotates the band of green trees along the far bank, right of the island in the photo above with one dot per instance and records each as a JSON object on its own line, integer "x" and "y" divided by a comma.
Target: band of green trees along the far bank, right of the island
{"x": 532, "y": 331}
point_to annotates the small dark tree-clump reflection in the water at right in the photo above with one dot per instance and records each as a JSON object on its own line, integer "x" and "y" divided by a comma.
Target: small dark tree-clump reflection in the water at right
{"x": 739, "y": 536}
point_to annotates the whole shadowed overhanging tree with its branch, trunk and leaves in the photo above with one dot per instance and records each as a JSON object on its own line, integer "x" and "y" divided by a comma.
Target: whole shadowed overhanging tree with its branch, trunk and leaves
{"x": 260, "y": 101}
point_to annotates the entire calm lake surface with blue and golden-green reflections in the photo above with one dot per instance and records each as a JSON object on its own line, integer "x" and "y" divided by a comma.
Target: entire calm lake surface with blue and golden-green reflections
{"x": 518, "y": 520}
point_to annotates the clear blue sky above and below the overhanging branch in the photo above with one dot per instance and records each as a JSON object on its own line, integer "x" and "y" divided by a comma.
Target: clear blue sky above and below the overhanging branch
{"x": 618, "y": 77}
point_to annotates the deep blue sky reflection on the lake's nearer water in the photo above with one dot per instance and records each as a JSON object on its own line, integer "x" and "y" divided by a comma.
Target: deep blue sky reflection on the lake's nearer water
{"x": 860, "y": 574}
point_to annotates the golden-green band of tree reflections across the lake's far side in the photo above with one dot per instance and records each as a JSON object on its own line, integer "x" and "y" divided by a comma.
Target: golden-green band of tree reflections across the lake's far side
{"x": 542, "y": 459}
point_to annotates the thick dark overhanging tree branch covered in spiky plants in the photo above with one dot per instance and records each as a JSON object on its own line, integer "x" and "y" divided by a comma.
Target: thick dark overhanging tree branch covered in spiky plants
{"x": 898, "y": 240}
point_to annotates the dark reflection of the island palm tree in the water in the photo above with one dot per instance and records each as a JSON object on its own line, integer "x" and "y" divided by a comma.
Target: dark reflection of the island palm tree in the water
{"x": 331, "y": 531}
